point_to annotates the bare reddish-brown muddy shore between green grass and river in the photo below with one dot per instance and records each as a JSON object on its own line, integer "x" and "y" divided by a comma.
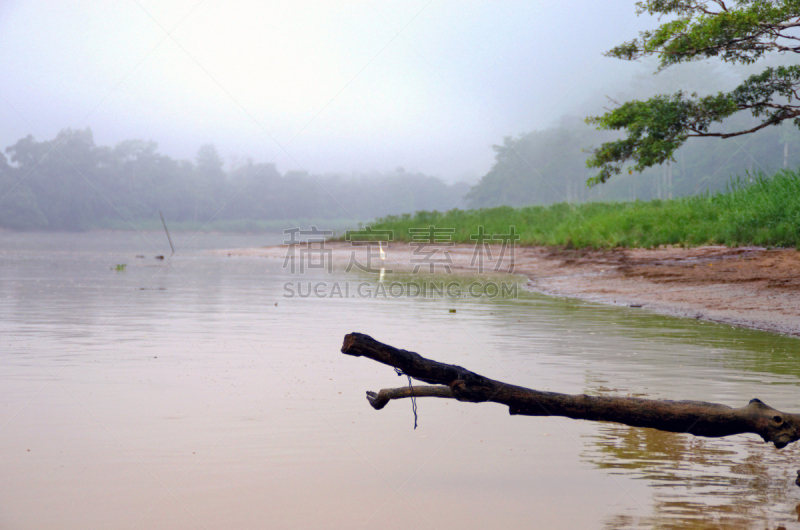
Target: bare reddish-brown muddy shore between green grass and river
{"x": 751, "y": 286}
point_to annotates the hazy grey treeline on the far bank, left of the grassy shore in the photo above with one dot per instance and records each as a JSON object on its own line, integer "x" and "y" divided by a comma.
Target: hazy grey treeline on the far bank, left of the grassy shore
{"x": 69, "y": 183}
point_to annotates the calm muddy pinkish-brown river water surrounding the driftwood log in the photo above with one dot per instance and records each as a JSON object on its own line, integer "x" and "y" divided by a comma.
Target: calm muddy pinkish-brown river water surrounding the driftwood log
{"x": 177, "y": 394}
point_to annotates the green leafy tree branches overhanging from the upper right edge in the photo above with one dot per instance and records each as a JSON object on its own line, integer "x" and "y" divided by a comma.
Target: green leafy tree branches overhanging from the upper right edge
{"x": 739, "y": 32}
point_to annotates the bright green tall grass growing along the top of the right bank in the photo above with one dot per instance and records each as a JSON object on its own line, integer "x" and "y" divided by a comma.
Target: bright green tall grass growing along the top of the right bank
{"x": 756, "y": 210}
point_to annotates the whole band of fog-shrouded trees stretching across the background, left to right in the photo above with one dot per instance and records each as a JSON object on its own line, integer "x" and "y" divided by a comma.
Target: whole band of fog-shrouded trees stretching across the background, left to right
{"x": 70, "y": 183}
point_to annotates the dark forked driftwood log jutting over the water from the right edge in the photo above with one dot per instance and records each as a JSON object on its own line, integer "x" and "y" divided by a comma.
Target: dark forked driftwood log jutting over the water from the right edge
{"x": 694, "y": 417}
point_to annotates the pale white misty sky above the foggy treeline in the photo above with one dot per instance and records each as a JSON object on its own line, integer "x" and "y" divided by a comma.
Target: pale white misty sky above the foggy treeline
{"x": 319, "y": 86}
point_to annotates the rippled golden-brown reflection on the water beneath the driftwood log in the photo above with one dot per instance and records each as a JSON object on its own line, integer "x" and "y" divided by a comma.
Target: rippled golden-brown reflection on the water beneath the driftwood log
{"x": 697, "y": 482}
